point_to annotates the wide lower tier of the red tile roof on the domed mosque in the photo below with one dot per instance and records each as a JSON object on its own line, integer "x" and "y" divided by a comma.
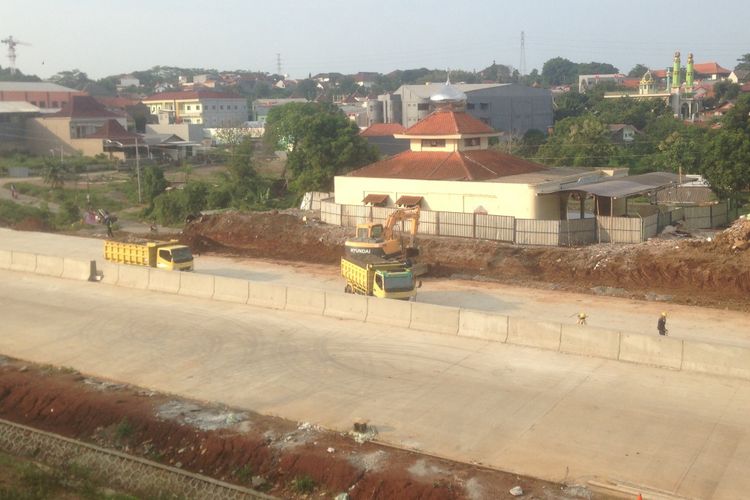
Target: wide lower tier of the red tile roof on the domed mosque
{"x": 479, "y": 165}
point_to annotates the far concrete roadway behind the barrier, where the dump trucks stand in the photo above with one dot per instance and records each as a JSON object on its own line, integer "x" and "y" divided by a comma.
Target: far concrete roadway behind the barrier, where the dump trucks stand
{"x": 689, "y": 322}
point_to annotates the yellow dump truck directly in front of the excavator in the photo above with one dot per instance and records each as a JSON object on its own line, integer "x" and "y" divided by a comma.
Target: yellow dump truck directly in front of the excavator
{"x": 391, "y": 280}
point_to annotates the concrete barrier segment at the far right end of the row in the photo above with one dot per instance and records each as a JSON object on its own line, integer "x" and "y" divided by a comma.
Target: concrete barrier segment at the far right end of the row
{"x": 726, "y": 360}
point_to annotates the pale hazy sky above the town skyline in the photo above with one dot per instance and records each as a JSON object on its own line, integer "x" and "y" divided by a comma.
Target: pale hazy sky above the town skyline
{"x": 103, "y": 37}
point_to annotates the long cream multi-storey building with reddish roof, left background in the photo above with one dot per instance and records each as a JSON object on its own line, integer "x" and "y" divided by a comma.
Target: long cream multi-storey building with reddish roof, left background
{"x": 208, "y": 108}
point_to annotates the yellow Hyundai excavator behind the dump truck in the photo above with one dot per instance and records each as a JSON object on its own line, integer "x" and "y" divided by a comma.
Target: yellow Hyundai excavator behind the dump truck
{"x": 379, "y": 240}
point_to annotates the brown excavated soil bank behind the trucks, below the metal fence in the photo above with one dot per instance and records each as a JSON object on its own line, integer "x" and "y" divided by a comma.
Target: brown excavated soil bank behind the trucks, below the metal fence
{"x": 684, "y": 269}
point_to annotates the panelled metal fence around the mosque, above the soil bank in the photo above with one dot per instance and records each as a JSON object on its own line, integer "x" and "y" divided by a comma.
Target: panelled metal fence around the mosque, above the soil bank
{"x": 647, "y": 223}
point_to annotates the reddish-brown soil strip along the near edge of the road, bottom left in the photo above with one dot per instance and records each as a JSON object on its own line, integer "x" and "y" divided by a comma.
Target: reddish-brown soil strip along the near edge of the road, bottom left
{"x": 267, "y": 453}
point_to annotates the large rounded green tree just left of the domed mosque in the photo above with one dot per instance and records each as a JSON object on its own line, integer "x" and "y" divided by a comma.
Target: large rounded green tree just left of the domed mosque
{"x": 322, "y": 142}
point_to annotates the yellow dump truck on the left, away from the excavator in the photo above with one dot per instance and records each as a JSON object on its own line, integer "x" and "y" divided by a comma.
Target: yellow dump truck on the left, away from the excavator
{"x": 170, "y": 255}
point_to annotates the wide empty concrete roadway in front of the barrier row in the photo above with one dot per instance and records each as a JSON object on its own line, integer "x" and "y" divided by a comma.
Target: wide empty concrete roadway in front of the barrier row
{"x": 558, "y": 417}
